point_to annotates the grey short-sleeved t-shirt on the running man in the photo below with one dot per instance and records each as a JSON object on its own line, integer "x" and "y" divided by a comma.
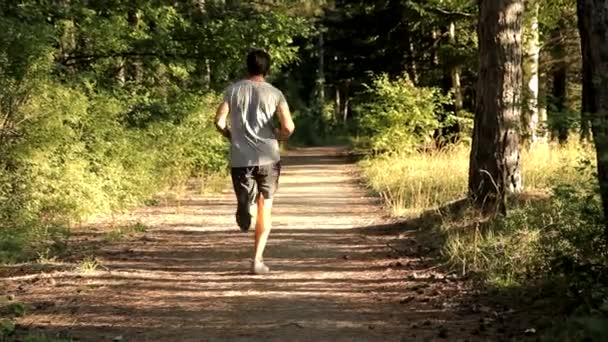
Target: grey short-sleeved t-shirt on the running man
{"x": 252, "y": 106}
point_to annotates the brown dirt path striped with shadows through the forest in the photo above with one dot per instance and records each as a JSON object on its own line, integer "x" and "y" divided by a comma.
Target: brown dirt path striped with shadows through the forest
{"x": 334, "y": 276}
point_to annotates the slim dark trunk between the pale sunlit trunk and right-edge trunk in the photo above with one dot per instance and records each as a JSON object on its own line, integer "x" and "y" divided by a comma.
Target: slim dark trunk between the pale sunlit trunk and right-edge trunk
{"x": 559, "y": 93}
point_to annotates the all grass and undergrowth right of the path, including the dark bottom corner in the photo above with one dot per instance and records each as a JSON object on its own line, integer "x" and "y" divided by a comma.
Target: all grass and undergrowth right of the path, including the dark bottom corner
{"x": 552, "y": 236}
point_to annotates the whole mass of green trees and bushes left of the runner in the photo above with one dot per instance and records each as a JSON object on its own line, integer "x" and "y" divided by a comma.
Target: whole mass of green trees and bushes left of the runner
{"x": 102, "y": 106}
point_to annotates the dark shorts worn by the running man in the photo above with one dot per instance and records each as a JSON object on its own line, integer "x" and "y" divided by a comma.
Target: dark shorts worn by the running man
{"x": 251, "y": 181}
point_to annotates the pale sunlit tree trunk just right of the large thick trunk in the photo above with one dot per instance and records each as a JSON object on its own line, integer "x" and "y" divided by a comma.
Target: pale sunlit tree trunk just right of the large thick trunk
{"x": 531, "y": 115}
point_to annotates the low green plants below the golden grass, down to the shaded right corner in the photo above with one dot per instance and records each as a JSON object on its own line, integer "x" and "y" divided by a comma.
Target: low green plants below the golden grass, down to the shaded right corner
{"x": 558, "y": 240}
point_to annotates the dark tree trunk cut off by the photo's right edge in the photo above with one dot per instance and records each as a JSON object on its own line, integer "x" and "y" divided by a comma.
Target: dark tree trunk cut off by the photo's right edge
{"x": 594, "y": 37}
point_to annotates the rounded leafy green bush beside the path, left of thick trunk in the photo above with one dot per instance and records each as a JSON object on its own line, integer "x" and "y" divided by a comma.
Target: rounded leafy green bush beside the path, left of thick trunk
{"x": 395, "y": 115}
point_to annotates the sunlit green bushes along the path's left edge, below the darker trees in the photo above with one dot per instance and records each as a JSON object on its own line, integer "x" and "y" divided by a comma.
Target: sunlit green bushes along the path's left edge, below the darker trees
{"x": 74, "y": 155}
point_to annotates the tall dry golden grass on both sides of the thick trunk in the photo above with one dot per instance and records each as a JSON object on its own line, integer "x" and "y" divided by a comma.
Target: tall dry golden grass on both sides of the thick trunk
{"x": 413, "y": 183}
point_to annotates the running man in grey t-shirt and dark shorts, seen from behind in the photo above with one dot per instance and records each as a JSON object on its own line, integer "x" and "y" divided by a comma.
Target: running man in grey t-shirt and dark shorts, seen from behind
{"x": 254, "y": 154}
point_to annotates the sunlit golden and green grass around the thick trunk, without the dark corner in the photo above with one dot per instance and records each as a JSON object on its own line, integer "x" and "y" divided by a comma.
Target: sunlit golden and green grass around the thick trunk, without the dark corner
{"x": 557, "y": 215}
